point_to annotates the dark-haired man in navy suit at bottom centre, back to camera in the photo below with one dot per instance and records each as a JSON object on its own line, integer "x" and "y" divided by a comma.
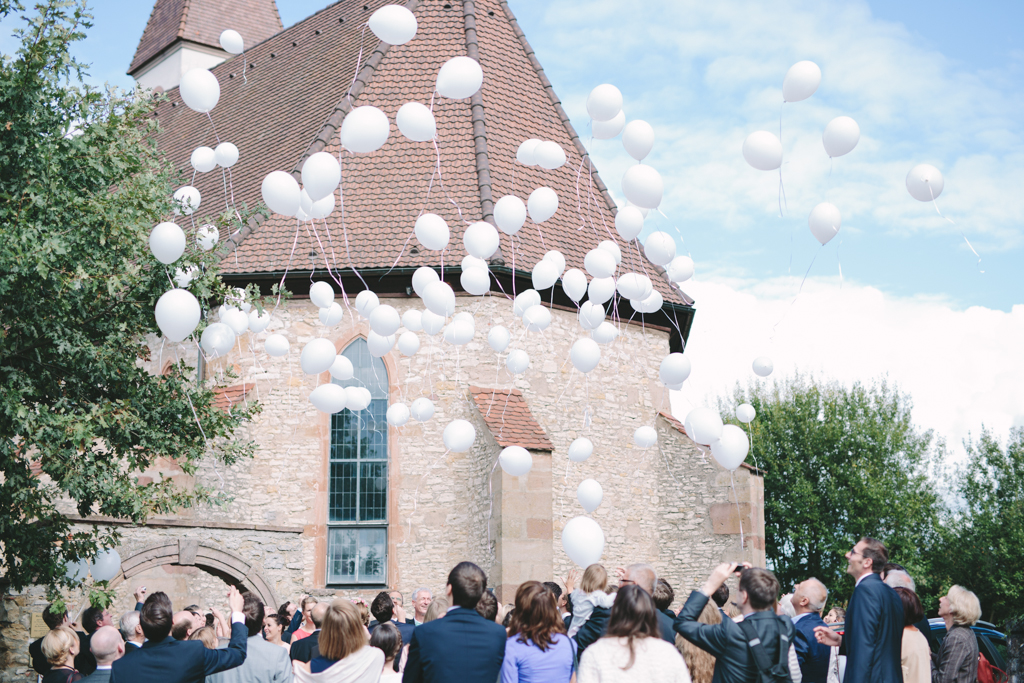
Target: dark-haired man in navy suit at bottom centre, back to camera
{"x": 462, "y": 647}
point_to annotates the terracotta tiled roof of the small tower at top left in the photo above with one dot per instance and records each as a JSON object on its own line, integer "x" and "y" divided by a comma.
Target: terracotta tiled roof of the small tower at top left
{"x": 202, "y": 22}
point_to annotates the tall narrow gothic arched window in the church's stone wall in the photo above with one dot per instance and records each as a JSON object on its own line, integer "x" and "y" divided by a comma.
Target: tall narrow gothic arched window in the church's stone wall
{"x": 359, "y": 479}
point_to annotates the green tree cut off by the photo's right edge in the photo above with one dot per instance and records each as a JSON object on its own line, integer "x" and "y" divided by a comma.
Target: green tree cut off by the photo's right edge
{"x": 983, "y": 540}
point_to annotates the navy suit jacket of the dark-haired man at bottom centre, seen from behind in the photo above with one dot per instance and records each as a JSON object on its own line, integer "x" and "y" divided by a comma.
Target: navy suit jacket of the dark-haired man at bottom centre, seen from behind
{"x": 462, "y": 648}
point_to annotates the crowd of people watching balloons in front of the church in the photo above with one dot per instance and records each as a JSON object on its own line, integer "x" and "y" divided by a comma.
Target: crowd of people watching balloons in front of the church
{"x": 598, "y": 632}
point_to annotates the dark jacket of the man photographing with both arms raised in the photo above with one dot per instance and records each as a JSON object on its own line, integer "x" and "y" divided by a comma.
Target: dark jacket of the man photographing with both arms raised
{"x": 727, "y": 642}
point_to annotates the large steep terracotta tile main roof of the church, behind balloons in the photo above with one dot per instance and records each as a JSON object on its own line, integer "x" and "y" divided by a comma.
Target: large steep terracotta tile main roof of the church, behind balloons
{"x": 293, "y": 107}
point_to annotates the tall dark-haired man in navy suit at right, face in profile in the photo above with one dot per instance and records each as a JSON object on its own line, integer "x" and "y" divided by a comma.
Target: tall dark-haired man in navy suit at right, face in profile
{"x": 874, "y": 637}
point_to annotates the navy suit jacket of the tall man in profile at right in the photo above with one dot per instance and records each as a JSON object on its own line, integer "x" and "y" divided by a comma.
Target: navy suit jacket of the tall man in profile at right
{"x": 874, "y": 639}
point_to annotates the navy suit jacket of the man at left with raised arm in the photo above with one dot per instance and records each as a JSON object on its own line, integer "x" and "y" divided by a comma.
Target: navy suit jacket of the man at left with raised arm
{"x": 173, "y": 661}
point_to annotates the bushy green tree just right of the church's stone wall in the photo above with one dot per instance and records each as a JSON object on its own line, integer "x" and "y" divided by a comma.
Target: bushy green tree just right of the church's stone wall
{"x": 840, "y": 463}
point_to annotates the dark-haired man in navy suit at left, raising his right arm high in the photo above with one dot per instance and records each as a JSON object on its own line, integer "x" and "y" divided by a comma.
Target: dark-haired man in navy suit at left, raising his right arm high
{"x": 168, "y": 661}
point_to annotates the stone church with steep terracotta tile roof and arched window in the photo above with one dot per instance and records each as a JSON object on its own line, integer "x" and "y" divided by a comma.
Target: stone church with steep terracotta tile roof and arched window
{"x": 346, "y": 504}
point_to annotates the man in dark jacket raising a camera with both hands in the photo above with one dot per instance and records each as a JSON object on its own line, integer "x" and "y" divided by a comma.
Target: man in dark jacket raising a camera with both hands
{"x": 757, "y": 595}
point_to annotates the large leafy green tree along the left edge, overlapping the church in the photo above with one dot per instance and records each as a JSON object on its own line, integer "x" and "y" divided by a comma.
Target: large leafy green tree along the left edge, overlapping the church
{"x": 81, "y": 187}
